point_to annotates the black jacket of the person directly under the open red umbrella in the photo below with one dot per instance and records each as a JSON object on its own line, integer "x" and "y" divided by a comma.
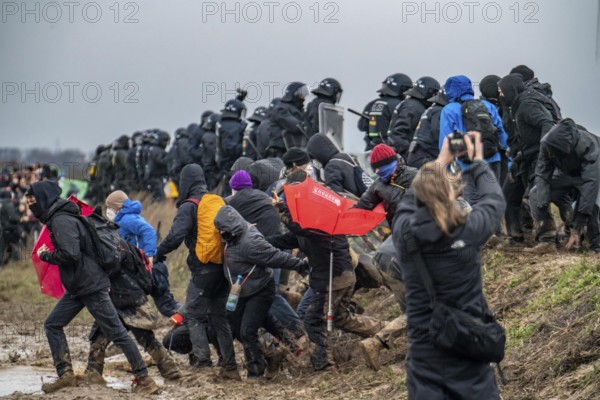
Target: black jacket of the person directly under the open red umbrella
{"x": 317, "y": 247}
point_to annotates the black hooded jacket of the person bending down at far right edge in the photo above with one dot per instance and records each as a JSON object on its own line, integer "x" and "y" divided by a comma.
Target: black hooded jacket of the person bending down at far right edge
{"x": 575, "y": 152}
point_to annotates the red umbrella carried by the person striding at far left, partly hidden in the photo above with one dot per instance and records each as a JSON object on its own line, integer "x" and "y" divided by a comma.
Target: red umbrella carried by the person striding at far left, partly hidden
{"x": 48, "y": 274}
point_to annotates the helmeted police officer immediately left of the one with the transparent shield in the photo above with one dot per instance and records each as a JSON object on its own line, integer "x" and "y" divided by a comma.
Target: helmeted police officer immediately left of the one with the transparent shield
{"x": 290, "y": 117}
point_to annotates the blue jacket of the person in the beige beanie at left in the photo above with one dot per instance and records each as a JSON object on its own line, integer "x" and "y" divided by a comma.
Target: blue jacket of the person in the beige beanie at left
{"x": 134, "y": 228}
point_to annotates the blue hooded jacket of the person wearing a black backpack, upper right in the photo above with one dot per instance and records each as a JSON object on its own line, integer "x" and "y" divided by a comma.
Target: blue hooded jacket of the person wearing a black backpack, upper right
{"x": 460, "y": 88}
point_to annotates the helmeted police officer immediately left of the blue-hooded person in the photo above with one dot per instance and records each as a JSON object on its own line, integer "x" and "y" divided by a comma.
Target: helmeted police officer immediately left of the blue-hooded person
{"x": 424, "y": 147}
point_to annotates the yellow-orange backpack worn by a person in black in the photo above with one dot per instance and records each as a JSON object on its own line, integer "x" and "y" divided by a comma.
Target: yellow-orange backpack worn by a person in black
{"x": 209, "y": 246}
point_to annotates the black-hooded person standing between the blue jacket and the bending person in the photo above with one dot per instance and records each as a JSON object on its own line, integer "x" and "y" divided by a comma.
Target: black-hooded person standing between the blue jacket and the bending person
{"x": 533, "y": 115}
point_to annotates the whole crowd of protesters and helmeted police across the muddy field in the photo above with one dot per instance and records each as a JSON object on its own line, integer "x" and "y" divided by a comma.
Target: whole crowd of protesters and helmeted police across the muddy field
{"x": 452, "y": 171}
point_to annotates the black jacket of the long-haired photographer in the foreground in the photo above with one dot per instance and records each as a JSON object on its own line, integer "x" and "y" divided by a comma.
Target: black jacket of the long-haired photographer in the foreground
{"x": 454, "y": 262}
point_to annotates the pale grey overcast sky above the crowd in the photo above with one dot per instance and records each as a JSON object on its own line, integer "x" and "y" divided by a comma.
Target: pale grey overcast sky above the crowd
{"x": 160, "y": 64}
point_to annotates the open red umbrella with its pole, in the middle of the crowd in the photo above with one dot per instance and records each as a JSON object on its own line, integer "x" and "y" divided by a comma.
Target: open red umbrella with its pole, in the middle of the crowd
{"x": 313, "y": 206}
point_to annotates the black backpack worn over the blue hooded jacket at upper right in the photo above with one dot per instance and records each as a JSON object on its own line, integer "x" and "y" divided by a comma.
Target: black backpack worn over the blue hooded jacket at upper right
{"x": 476, "y": 117}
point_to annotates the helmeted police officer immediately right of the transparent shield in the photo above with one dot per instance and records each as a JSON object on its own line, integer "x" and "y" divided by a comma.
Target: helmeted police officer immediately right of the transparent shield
{"x": 380, "y": 110}
